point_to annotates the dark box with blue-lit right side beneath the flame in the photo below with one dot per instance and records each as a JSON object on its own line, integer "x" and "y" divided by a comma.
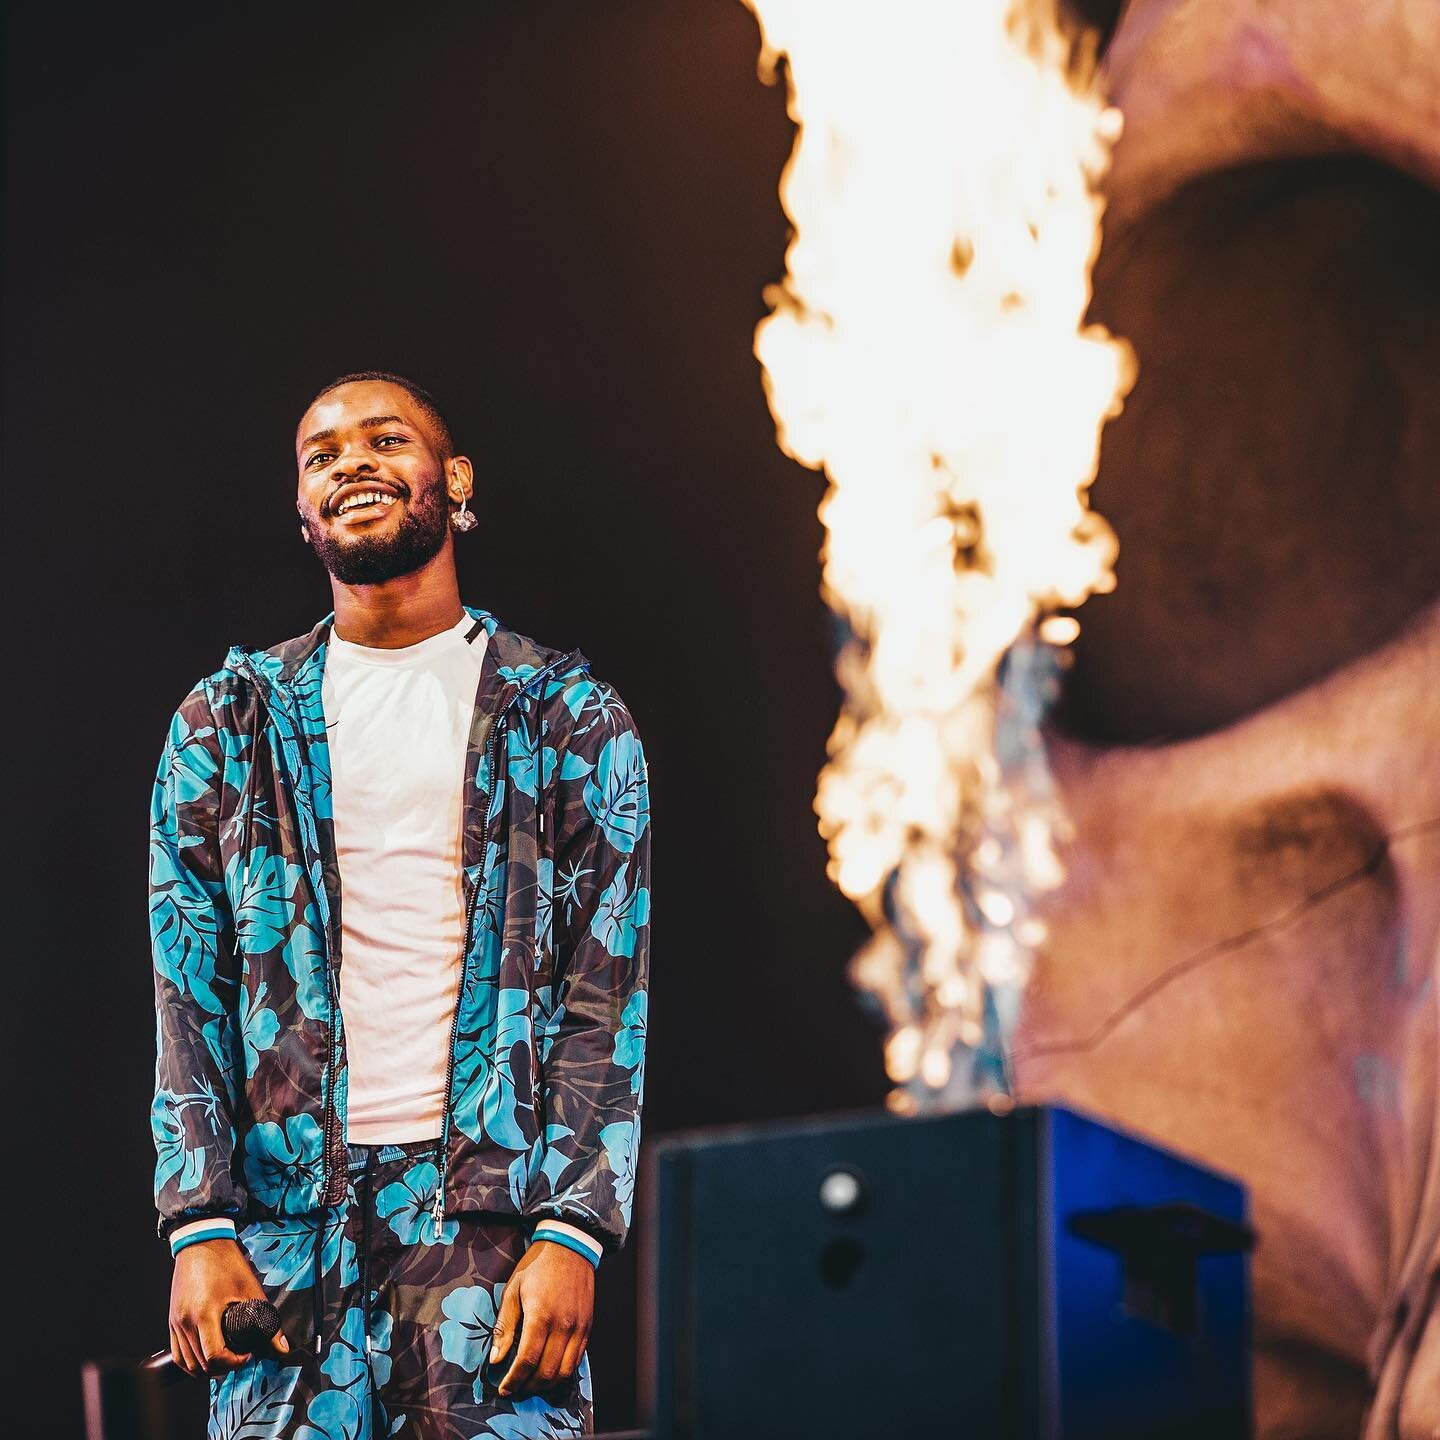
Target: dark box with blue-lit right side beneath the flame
{"x": 1023, "y": 1277}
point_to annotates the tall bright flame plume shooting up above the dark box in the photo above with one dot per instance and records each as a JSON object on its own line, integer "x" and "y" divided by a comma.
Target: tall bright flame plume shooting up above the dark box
{"x": 928, "y": 351}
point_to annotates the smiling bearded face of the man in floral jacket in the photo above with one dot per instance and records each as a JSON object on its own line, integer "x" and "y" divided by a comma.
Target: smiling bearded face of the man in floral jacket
{"x": 372, "y": 483}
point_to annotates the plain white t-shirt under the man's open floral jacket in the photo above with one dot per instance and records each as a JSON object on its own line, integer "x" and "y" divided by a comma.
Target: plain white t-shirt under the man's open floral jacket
{"x": 400, "y": 722}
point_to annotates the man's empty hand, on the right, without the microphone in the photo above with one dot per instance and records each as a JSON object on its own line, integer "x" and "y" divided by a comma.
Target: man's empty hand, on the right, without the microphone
{"x": 551, "y": 1300}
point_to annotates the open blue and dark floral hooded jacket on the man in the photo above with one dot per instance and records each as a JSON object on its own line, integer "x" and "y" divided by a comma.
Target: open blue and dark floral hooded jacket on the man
{"x": 548, "y": 1050}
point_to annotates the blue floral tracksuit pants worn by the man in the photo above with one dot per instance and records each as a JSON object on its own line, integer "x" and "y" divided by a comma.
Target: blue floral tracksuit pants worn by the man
{"x": 404, "y": 1317}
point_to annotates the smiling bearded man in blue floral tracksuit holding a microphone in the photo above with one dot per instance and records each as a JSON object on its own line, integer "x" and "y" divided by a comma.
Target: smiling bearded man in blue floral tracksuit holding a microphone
{"x": 400, "y": 911}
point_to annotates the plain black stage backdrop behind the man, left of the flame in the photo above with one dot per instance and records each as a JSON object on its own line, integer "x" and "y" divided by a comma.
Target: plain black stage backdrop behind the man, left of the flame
{"x": 561, "y": 218}
